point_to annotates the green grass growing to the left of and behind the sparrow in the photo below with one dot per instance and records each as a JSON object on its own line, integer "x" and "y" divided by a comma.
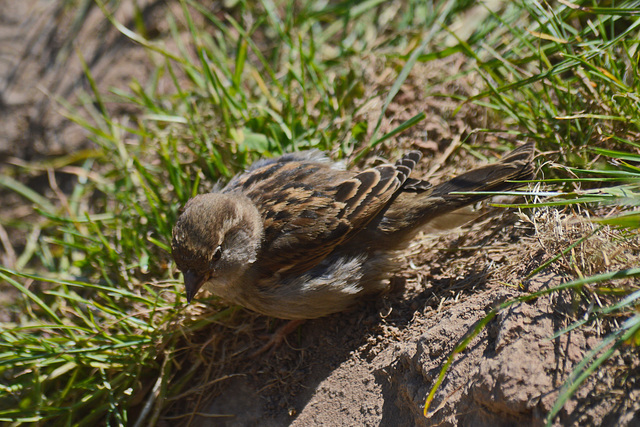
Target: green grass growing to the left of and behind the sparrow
{"x": 97, "y": 330}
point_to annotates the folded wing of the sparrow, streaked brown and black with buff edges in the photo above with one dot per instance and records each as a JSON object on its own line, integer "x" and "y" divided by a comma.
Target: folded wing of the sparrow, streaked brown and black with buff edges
{"x": 309, "y": 207}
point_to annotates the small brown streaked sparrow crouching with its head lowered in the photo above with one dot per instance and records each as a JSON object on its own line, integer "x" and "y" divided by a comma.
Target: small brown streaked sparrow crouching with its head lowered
{"x": 299, "y": 237}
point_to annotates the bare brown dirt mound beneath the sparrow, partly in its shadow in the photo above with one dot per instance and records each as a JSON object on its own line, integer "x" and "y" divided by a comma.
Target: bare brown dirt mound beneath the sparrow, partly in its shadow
{"x": 375, "y": 365}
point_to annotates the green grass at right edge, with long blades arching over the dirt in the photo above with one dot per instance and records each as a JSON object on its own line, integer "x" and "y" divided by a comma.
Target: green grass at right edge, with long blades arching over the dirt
{"x": 567, "y": 76}
